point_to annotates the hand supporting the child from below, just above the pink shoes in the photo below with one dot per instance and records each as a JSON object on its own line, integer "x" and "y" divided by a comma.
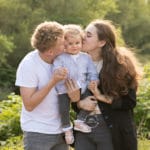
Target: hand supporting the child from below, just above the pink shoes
{"x": 88, "y": 103}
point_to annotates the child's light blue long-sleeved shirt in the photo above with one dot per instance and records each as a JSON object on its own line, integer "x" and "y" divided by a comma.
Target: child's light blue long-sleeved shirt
{"x": 80, "y": 68}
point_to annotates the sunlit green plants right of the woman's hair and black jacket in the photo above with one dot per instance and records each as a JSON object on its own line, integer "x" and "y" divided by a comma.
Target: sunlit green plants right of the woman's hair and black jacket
{"x": 142, "y": 110}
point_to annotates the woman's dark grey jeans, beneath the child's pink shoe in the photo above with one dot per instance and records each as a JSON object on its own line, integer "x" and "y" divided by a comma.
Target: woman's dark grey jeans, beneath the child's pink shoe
{"x": 98, "y": 139}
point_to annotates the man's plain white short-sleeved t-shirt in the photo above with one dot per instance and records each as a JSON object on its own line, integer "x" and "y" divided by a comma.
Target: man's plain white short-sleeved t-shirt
{"x": 45, "y": 118}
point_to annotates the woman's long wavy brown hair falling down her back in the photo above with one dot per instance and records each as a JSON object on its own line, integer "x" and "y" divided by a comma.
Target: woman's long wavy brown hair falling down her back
{"x": 120, "y": 68}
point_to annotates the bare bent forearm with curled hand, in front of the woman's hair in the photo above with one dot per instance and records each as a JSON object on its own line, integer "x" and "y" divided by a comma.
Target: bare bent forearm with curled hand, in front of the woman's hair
{"x": 93, "y": 88}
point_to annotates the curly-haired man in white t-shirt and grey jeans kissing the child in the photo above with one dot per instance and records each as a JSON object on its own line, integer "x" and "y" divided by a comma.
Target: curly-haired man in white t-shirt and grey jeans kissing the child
{"x": 40, "y": 118}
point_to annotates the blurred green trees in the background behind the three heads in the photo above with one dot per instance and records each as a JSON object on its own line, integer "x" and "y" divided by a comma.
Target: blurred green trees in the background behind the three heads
{"x": 18, "y": 18}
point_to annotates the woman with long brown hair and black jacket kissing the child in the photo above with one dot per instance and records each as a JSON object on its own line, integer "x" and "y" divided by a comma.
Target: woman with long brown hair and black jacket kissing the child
{"x": 118, "y": 84}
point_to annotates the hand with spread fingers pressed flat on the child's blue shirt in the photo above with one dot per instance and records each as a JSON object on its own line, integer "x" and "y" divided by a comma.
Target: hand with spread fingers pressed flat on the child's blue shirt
{"x": 73, "y": 90}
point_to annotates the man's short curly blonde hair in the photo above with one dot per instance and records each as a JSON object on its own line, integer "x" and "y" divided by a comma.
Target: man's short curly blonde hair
{"x": 46, "y": 34}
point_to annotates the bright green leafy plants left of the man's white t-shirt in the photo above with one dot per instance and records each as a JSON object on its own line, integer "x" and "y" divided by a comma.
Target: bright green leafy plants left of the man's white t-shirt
{"x": 10, "y": 117}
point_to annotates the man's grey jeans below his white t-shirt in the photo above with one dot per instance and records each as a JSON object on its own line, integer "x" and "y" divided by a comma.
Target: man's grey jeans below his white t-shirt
{"x": 39, "y": 141}
